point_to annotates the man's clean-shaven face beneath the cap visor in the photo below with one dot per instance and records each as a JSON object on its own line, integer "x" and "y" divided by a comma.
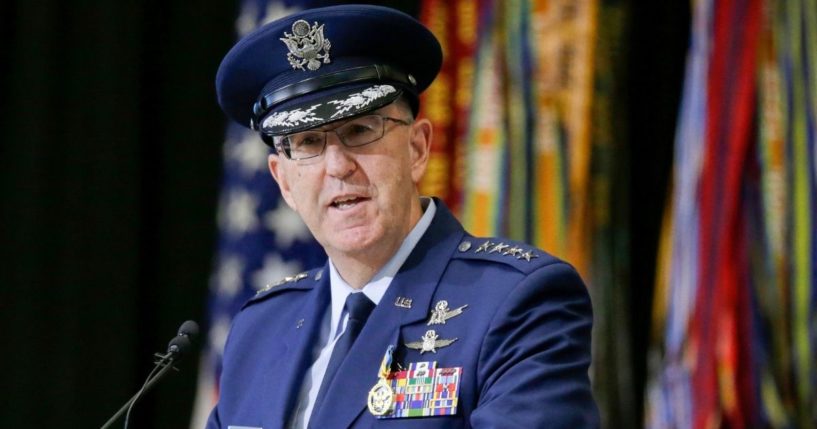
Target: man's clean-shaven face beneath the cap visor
{"x": 361, "y": 199}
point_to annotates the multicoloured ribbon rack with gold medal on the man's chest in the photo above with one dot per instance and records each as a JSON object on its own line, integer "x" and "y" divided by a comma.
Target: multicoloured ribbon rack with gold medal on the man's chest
{"x": 422, "y": 390}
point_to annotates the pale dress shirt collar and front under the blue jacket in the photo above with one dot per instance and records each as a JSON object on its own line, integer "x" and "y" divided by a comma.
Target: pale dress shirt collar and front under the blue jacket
{"x": 334, "y": 322}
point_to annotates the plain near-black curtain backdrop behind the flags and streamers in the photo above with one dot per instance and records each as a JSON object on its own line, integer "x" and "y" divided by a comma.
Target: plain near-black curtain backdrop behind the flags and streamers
{"x": 110, "y": 162}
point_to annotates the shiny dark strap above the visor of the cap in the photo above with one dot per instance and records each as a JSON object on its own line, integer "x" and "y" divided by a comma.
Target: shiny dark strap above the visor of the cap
{"x": 375, "y": 73}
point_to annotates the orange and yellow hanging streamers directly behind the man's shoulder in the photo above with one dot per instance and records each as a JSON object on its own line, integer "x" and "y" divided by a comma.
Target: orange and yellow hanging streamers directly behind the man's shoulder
{"x": 524, "y": 163}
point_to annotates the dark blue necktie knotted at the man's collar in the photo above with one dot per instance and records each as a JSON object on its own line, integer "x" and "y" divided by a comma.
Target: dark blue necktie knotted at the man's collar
{"x": 359, "y": 306}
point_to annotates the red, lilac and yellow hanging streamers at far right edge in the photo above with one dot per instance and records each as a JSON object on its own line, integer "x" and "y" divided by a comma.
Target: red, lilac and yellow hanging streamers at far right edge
{"x": 738, "y": 343}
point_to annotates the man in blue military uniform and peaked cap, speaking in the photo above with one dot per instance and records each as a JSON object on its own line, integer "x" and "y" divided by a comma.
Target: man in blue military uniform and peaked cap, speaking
{"x": 412, "y": 322}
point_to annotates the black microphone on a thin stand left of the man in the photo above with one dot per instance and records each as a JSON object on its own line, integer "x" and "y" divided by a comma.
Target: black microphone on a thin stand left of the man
{"x": 177, "y": 348}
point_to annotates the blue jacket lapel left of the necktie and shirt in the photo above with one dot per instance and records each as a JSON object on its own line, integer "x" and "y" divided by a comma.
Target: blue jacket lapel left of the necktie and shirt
{"x": 287, "y": 378}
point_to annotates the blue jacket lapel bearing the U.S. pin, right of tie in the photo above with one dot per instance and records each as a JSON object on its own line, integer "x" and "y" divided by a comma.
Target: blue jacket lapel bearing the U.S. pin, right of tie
{"x": 416, "y": 280}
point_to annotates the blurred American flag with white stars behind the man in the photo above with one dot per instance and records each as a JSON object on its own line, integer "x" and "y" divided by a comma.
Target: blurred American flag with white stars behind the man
{"x": 261, "y": 240}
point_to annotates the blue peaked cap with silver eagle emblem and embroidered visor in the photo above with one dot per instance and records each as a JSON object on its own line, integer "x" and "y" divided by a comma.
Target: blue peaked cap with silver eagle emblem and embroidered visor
{"x": 321, "y": 65}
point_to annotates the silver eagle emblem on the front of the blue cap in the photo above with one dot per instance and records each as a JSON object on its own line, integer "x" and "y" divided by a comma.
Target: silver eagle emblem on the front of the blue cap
{"x": 305, "y": 45}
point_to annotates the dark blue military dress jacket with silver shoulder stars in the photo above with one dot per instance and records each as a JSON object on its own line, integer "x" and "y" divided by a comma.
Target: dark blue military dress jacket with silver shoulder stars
{"x": 522, "y": 341}
